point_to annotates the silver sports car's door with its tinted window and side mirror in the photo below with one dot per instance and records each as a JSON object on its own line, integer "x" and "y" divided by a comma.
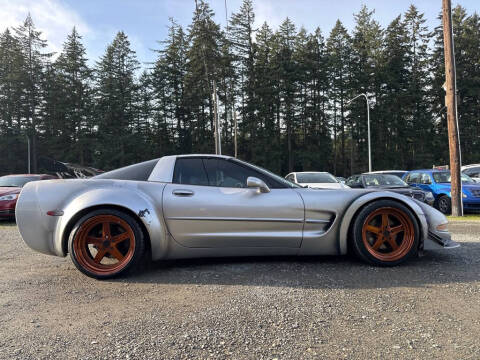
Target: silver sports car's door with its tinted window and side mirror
{"x": 209, "y": 204}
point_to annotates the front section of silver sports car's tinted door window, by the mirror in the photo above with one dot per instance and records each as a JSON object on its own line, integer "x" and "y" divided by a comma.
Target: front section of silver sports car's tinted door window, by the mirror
{"x": 223, "y": 173}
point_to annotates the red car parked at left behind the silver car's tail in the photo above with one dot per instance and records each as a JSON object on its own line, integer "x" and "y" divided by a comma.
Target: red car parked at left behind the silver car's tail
{"x": 10, "y": 187}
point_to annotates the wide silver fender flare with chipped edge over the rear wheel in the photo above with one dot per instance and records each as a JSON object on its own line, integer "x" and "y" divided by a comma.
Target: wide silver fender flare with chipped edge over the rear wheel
{"x": 133, "y": 200}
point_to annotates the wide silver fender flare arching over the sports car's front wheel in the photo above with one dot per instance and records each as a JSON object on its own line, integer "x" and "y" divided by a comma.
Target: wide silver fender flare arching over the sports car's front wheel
{"x": 355, "y": 206}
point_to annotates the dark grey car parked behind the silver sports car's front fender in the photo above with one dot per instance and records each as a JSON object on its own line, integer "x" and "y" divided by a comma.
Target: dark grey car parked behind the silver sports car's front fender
{"x": 390, "y": 183}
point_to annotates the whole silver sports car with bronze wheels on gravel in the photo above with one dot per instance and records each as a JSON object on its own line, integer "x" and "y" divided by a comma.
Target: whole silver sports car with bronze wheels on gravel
{"x": 189, "y": 206}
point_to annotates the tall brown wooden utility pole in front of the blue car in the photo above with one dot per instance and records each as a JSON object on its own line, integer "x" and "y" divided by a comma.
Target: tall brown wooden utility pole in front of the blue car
{"x": 451, "y": 104}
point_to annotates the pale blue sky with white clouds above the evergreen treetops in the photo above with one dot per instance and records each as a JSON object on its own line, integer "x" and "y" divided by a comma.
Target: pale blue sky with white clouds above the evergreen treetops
{"x": 145, "y": 21}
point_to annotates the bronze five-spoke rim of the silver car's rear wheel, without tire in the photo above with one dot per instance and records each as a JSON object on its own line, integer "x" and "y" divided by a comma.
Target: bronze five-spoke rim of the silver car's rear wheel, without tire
{"x": 104, "y": 245}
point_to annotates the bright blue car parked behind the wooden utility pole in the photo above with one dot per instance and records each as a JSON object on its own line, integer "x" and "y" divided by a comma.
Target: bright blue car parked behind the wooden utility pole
{"x": 438, "y": 183}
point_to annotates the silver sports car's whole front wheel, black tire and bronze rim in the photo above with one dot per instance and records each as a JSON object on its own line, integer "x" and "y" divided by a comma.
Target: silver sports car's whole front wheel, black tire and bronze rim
{"x": 364, "y": 241}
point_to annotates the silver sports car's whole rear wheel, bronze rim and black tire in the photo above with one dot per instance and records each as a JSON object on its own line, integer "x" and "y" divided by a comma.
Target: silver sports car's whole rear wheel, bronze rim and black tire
{"x": 106, "y": 243}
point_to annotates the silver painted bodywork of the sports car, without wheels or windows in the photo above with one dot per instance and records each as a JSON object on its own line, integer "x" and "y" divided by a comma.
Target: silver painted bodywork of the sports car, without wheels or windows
{"x": 203, "y": 221}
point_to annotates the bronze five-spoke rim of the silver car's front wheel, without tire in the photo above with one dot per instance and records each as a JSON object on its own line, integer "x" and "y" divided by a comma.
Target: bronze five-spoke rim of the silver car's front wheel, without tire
{"x": 388, "y": 234}
